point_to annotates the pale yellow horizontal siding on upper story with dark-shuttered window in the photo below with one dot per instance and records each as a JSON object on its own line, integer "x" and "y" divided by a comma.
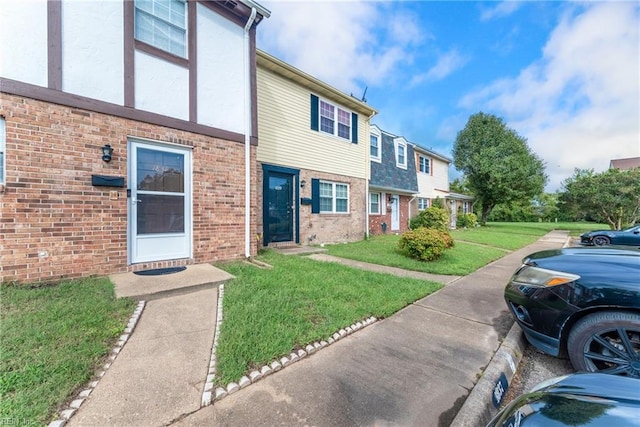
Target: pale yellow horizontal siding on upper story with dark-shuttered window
{"x": 285, "y": 137}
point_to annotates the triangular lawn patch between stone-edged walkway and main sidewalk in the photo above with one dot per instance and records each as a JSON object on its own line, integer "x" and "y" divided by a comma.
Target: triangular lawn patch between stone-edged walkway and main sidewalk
{"x": 268, "y": 313}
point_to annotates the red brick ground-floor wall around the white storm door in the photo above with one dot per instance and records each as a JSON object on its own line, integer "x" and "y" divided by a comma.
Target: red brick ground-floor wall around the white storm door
{"x": 54, "y": 224}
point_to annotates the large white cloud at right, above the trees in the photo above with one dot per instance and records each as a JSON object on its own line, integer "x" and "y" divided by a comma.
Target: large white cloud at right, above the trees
{"x": 579, "y": 105}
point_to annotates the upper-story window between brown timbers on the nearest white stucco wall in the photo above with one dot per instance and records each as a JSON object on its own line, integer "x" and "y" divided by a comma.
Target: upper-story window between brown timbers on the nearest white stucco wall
{"x": 162, "y": 24}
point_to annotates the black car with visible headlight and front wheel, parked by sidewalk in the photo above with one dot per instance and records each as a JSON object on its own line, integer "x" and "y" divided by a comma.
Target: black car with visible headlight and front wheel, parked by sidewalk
{"x": 584, "y": 302}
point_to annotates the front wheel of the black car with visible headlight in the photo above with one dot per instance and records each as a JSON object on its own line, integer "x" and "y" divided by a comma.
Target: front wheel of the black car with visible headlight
{"x": 607, "y": 342}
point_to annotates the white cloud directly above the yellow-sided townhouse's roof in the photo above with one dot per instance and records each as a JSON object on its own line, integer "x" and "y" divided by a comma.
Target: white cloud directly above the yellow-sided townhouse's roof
{"x": 342, "y": 42}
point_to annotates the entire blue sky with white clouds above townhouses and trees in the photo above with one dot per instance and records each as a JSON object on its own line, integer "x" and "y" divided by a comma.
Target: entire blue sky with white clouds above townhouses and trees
{"x": 564, "y": 75}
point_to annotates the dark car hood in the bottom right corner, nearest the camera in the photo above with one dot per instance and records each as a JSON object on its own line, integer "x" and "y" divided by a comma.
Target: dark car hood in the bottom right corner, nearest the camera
{"x": 596, "y": 400}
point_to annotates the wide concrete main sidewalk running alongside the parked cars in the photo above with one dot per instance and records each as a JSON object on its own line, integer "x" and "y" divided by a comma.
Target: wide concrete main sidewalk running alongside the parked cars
{"x": 415, "y": 368}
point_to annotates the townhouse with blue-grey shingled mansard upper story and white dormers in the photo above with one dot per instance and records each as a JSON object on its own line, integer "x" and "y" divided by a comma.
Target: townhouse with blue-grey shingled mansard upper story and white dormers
{"x": 393, "y": 185}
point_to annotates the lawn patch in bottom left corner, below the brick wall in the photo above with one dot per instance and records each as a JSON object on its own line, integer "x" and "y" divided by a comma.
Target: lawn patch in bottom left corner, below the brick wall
{"x": 52, "y": 338}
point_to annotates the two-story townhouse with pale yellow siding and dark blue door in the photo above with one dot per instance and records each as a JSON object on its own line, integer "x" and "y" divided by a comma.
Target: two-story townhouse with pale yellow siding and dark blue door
{"x": 313, "y": 158}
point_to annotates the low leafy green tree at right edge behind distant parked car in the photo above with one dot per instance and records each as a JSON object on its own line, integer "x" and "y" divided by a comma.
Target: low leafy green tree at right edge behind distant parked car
{"x": 612, "y": 196}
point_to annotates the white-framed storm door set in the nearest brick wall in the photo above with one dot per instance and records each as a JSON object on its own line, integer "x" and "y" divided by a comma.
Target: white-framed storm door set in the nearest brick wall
{"x": 159, "y": 202}
